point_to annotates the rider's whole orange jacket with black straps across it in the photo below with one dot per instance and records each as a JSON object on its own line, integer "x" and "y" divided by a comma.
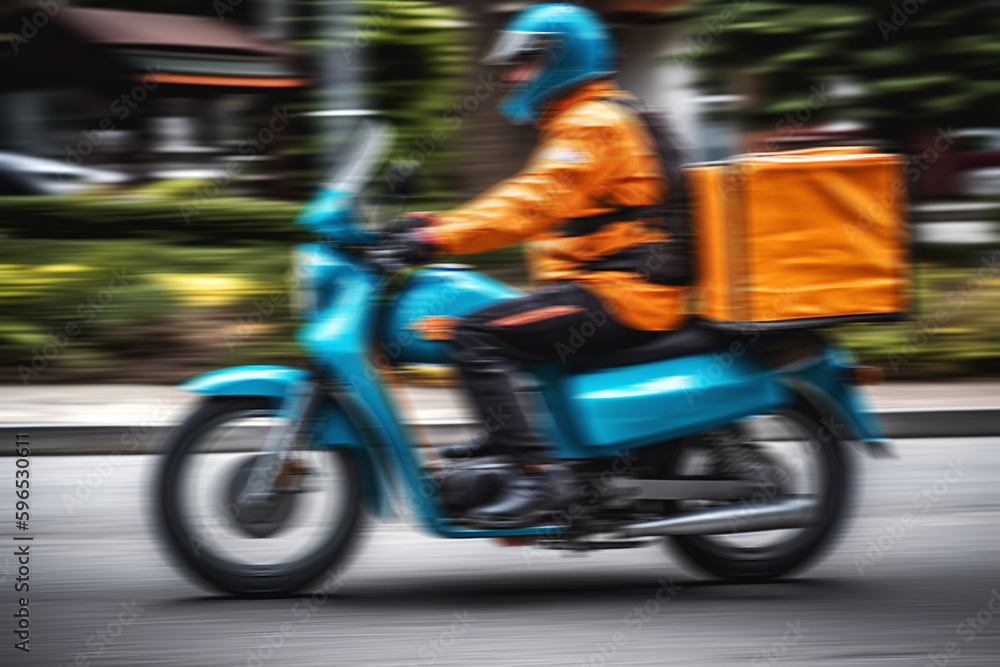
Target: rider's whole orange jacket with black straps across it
{"x": 593, "y": 156}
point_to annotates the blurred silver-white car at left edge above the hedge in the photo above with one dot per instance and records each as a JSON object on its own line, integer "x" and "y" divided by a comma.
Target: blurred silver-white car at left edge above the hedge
{"x": 26, "y": 175}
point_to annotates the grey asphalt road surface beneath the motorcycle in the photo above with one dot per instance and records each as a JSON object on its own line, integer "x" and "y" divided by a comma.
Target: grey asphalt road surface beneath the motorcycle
{"x": 917, "y": 560}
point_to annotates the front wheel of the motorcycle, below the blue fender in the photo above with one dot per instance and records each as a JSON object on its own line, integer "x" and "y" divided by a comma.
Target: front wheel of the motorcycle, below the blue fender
{"x": 243, "y": 543}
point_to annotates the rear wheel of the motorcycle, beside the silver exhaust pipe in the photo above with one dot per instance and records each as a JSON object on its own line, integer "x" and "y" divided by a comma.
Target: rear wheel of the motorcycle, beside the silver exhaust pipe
{"x": 797, "y": 456}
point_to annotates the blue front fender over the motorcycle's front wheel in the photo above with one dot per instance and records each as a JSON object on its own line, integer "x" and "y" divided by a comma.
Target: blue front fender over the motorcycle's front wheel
{"x": 278, "y": 383}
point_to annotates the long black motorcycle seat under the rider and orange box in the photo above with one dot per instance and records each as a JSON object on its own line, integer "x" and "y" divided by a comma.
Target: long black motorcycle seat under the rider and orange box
{"x": 697, "y": 337}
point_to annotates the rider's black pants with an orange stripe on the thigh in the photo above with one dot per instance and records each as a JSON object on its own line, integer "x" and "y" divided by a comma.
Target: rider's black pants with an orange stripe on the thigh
{"x": 554, "y": 324}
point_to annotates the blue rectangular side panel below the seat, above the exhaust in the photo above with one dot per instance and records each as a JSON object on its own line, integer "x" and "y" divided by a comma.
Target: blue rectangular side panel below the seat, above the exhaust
{"x": 637, "y": 405}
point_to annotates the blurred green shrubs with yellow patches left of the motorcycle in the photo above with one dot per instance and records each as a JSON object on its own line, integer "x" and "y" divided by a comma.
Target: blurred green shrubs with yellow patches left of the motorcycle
{"x": 132, "y": 310}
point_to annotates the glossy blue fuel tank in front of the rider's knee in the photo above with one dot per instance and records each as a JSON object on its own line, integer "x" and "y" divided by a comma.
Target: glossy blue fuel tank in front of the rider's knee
{"x": 436, "y": 292}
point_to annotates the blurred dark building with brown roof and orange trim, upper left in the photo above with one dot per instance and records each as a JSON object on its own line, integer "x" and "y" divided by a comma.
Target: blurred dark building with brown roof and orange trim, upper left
{"x": 147, "y": 95}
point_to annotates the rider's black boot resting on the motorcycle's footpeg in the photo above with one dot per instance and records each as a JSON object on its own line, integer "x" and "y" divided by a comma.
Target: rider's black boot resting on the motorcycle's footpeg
{"x": 529, "y": 499}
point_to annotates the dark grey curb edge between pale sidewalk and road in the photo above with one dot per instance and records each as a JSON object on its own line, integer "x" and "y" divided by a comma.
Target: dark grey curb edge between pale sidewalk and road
{"x": 80, "y": 439}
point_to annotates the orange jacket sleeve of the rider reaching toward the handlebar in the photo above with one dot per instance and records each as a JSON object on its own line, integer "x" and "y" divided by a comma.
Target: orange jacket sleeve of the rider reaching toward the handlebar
{"x": 554, "y": 184}
